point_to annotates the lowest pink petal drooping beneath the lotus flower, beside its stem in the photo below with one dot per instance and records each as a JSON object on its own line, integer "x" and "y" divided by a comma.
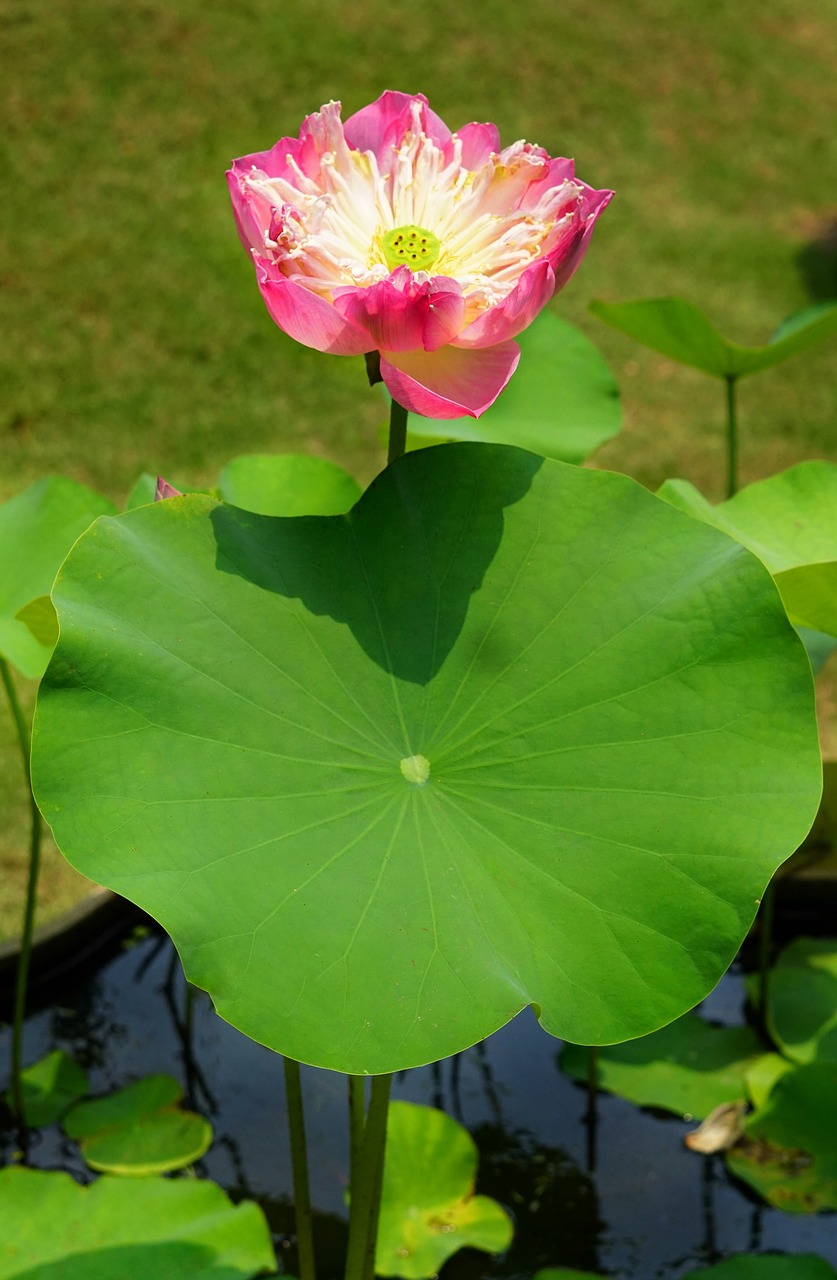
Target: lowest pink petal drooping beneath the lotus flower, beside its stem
{"x": 450, "y": 382}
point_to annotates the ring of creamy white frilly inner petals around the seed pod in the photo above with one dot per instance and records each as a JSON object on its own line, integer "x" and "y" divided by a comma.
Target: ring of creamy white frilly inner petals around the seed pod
{"x": 331, "y": 231}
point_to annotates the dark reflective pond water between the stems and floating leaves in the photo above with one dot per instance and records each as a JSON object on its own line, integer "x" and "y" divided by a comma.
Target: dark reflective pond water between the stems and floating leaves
{"x": 647, "y": 1210}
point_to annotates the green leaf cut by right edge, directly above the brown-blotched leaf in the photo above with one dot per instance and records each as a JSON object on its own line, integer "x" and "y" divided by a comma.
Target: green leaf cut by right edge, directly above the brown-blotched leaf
{"x": 803, "y": 1000}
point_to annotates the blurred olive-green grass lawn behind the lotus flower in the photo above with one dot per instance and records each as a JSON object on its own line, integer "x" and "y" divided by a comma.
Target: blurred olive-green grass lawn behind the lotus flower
{"x": 134, "y": 337}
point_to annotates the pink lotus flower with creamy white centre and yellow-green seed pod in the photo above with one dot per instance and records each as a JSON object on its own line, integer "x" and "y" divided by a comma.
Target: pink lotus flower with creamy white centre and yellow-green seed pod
{"x": 390, "y": 234}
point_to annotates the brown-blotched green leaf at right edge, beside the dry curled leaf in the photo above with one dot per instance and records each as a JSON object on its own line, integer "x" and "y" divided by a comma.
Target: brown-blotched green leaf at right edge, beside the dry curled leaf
{"x": 789, "y": 1151}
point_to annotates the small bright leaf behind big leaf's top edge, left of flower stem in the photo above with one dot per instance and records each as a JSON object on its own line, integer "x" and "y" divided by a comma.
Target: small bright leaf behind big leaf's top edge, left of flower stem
{"x": 289, "y": 484}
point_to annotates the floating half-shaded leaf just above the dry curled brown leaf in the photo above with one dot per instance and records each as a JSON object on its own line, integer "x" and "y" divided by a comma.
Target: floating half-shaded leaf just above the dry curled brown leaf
{"x": 689, "y": 1068}
